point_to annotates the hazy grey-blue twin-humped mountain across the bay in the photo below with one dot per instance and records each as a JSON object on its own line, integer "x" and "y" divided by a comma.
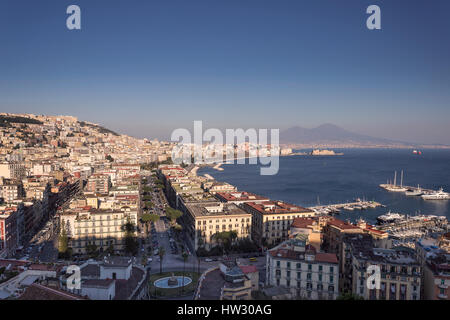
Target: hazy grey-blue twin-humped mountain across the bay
{"x": 332, "y": 135}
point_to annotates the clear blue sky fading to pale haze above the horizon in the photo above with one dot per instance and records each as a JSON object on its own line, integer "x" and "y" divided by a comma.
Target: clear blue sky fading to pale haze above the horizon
{"x": 147, "y": 67}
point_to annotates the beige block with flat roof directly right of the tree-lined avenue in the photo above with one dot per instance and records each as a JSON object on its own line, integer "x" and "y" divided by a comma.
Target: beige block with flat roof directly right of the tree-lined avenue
{"x": 204, "y": 220}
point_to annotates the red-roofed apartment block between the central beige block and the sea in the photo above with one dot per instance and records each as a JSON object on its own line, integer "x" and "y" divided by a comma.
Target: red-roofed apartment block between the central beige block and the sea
{"x": 271, "y": 220}
